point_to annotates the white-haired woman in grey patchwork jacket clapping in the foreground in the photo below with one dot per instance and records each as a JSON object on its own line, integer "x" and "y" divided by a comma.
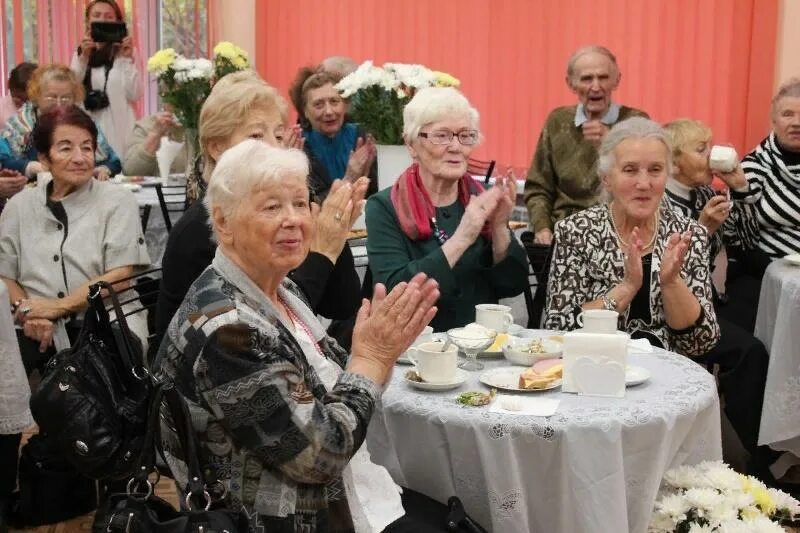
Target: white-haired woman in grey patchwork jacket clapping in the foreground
{"x": 278, "y": 406}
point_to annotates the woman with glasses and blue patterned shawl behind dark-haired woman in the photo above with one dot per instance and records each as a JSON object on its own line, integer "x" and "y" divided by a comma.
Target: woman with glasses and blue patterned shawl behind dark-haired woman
{"x": 51, "y": 86}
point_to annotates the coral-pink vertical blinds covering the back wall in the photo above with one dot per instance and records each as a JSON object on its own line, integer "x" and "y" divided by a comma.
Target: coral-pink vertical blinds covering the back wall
{"x": 707, "y": 60}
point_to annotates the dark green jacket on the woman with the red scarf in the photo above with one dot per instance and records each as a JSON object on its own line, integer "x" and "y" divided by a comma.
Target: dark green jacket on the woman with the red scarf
{"x": 393, "y": 258}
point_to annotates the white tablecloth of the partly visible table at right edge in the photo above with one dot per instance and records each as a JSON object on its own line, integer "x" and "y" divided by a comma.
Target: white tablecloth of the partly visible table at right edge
{"x": 778, "y": 327}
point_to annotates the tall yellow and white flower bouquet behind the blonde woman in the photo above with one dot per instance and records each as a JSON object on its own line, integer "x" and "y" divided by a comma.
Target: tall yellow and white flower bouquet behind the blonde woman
{"x": 185, "y": 84}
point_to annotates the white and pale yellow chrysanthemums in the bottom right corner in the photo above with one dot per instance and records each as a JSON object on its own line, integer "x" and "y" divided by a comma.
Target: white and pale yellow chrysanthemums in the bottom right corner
{"x": 710, "y": 497}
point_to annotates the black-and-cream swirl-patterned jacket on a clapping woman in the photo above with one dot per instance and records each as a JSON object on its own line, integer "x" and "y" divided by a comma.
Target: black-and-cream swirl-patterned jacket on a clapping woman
{"x": 587, "y": 263}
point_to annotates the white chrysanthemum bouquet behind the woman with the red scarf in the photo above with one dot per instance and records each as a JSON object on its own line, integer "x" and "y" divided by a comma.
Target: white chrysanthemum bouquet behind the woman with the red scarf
{"x": 378, "y": 95}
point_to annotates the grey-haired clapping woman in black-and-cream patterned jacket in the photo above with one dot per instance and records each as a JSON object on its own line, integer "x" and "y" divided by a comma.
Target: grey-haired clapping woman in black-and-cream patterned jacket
{"x": 633, "y": 255}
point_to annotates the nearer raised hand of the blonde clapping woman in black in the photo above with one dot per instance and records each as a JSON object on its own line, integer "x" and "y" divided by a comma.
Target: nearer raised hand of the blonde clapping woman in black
{"x": 333, "y": 221}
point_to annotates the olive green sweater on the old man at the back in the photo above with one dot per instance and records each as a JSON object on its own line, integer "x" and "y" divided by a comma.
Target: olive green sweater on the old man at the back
{"x": 562, "y": 179}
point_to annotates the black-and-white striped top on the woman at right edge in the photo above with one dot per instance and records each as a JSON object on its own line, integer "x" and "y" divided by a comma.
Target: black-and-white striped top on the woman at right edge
{"x": 777, "y": 187}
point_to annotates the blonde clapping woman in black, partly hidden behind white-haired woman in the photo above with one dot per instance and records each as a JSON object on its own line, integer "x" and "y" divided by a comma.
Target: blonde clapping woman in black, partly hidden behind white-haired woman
{"x": 243, "y": 106}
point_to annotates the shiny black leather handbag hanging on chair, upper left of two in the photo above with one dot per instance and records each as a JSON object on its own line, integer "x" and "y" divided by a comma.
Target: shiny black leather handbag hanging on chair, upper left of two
{"x": 94, "y": 398}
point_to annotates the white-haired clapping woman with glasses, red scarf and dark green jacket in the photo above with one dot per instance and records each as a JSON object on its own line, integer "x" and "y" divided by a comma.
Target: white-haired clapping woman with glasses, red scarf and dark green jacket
{"x": 436, "y": 219}
